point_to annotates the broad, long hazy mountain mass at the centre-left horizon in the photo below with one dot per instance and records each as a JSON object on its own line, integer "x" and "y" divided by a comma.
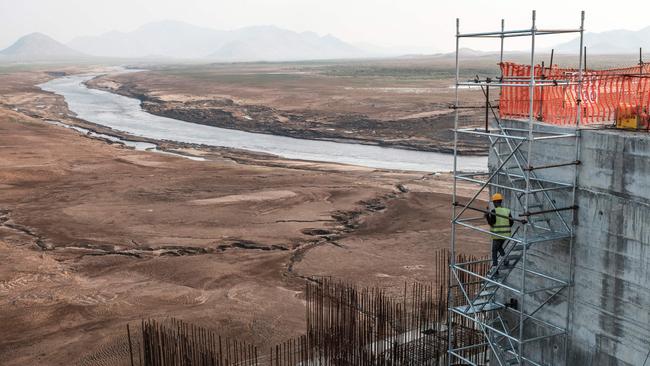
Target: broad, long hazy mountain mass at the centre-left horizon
{"x": 173, "y": 39}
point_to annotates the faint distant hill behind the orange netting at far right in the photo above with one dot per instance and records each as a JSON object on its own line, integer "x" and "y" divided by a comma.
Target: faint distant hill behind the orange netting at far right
{"x": 610, "y": 42}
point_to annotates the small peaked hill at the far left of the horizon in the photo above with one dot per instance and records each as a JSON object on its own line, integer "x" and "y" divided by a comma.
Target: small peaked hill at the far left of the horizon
{"x": 38, "y": 47}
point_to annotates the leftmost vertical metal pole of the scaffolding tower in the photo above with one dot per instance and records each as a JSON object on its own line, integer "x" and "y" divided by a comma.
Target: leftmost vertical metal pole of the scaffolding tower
{"x": 452, "y": 254}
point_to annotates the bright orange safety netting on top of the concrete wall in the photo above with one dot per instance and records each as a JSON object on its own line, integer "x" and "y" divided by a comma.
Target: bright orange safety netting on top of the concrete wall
{"x": 603, "y": 92}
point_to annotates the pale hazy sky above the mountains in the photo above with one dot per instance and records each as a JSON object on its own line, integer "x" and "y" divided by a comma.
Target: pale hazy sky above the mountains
{"x": 422, "y": 25}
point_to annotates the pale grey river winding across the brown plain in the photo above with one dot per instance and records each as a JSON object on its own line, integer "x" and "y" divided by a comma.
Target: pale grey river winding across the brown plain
{"x": 125, "y": 114}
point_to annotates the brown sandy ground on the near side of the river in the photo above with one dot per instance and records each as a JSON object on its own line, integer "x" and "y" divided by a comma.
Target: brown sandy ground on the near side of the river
{"x": 93, "y": 236}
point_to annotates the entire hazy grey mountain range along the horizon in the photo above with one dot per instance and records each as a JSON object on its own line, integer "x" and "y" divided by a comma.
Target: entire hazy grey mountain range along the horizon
{"x": 178, "y": 40}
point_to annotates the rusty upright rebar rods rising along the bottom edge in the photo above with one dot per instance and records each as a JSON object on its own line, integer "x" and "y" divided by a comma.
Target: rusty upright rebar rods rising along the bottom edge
{"x": 346, "y": 325}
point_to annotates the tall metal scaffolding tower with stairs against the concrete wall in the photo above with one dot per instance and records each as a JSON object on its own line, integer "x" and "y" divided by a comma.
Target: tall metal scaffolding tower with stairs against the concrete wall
{"x": 511, "y": 328}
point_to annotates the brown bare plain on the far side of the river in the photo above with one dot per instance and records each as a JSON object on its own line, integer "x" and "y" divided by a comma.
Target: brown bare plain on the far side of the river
{"x": 404, "y": 103}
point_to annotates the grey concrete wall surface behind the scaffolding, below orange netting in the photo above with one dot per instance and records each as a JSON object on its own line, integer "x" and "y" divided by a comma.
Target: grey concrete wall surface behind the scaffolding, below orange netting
{"x": 608, "y": 308}
